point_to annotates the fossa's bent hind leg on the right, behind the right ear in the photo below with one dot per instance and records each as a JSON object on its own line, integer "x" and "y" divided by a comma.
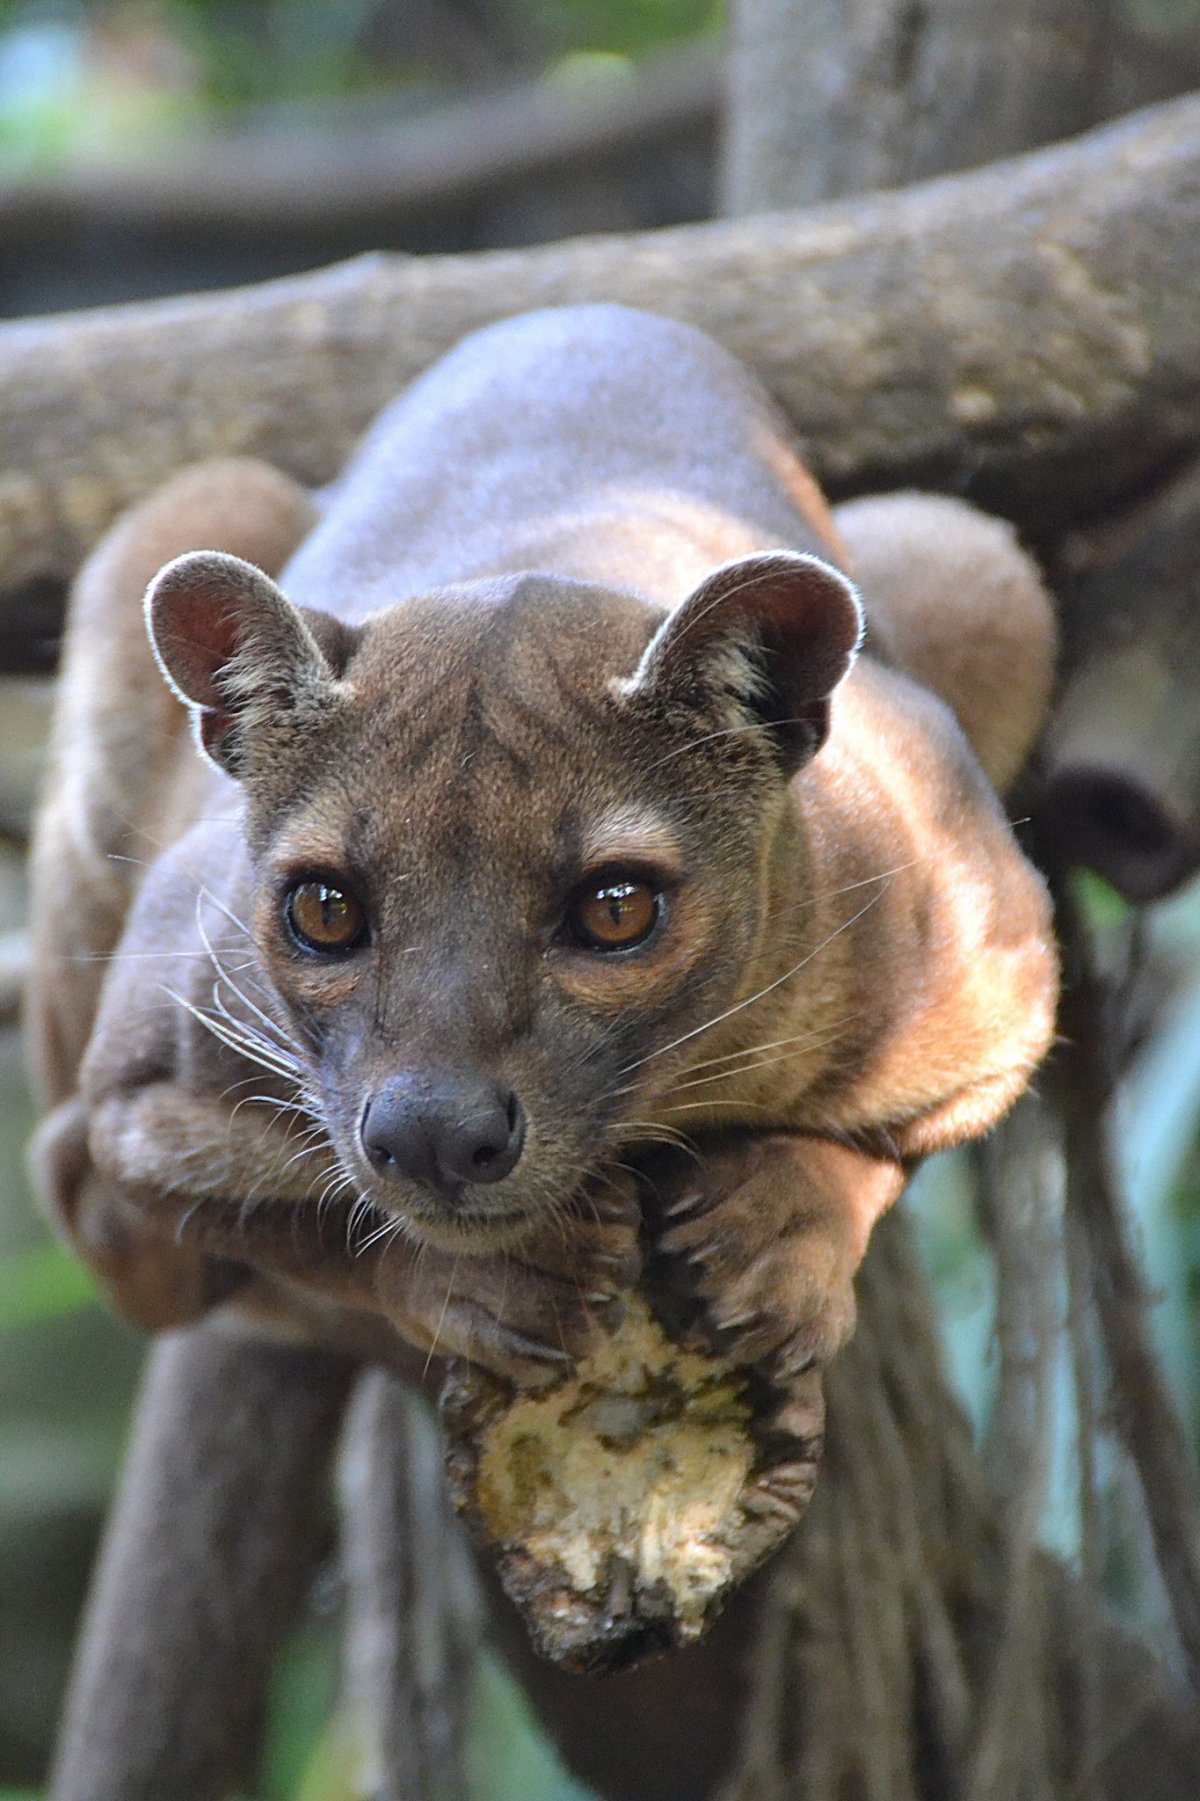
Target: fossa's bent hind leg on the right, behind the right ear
{"x": 954, "y": 601}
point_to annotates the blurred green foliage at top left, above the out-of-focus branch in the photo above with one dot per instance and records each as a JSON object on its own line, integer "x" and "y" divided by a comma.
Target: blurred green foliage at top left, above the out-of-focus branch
{"x": 120, "y": 77}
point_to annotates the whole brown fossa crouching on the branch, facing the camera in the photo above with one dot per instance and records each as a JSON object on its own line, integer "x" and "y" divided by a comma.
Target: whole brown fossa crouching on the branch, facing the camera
{"x": 549, "y": 810}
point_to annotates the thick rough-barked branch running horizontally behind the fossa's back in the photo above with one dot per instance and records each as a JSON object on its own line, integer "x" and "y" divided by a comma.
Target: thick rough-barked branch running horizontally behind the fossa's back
{"x": 983, "y": 332}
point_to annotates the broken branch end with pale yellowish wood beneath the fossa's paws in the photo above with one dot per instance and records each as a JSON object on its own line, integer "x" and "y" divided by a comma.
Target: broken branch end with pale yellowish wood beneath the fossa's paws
{"x": 628, "y": 1503}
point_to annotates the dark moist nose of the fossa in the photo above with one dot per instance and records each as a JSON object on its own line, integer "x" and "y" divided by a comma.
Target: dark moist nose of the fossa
{"x": 444, "y": 1130}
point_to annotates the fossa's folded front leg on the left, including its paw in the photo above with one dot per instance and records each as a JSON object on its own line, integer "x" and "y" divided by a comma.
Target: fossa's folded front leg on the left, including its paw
{"x": 195, "y": 1188}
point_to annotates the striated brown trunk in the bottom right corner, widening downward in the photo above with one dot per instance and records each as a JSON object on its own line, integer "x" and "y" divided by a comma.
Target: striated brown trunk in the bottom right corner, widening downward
{"x": 914, "y": 1645}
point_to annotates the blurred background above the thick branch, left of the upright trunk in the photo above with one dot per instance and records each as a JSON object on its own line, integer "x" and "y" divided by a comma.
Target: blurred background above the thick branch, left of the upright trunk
{"x": 165, "y": 145}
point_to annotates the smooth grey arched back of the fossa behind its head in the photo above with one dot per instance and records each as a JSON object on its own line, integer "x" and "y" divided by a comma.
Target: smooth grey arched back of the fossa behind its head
{"x": 594, "y": 442}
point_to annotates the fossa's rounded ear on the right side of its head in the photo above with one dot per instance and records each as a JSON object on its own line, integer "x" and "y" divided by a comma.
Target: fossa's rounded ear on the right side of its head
{"x": 767, "y": 635}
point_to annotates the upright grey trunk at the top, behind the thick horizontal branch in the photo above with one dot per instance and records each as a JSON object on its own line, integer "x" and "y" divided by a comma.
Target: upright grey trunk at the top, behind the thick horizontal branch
{"x": 893, "y": 91}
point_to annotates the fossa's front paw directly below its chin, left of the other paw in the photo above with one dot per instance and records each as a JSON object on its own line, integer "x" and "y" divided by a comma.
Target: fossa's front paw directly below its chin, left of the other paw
{"x": 525, "y": 1314}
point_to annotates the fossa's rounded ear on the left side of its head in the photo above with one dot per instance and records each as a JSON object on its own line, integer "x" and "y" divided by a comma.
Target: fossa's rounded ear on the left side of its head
{"x": 239, "y": 653}
